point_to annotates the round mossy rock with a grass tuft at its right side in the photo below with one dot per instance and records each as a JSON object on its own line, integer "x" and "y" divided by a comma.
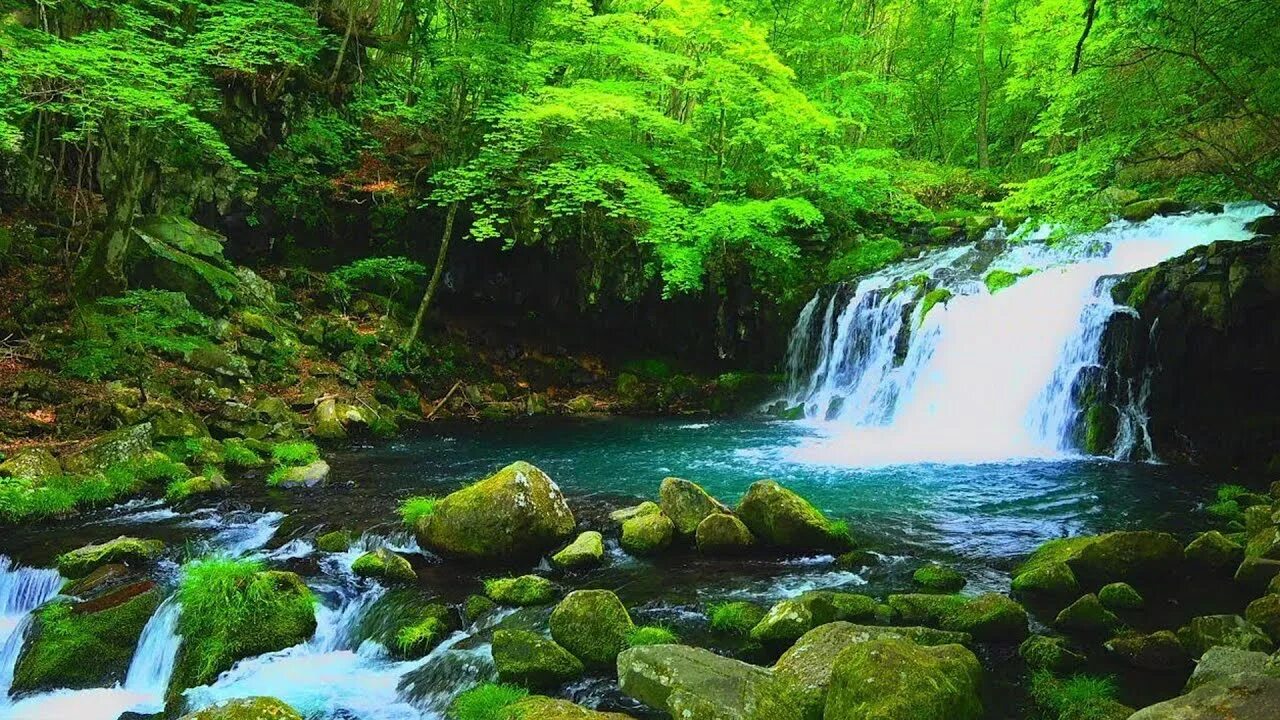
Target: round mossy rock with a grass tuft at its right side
{"x": 593, "y": 626}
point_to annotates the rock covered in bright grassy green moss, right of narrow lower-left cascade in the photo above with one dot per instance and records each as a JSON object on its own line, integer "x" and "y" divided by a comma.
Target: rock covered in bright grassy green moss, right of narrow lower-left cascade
{"x": 232, "y": 609}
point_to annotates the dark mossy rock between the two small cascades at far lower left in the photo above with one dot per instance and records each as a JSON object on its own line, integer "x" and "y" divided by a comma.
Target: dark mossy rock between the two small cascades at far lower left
{"x": 85, "y": 646}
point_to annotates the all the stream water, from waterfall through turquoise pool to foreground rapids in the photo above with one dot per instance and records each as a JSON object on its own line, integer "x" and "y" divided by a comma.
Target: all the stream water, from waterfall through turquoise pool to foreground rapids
{"x": 948, "y": 443}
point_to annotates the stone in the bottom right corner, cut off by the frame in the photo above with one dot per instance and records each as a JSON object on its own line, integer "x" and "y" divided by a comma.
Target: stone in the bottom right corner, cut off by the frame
{"x": 1241, "y": 698}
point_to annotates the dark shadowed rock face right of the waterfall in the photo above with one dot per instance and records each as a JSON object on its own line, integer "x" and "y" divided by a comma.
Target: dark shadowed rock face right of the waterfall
{"x": 1206, "y": 344}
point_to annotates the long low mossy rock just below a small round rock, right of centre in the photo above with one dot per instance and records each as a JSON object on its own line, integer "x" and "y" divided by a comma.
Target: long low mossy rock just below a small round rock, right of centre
{"x": 990, "y": 617}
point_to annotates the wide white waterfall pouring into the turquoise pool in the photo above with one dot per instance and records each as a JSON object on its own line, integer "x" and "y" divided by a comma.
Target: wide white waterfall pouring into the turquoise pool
{"x": 982, "y": 376}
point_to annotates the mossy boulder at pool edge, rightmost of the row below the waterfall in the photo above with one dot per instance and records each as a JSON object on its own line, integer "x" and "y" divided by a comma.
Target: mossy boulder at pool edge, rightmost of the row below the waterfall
{"x": 781, "y": 518}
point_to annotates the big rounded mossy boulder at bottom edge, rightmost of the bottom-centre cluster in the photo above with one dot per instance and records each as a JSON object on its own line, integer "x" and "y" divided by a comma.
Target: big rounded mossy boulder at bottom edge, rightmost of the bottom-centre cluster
{"x": 894, "y": 680}
